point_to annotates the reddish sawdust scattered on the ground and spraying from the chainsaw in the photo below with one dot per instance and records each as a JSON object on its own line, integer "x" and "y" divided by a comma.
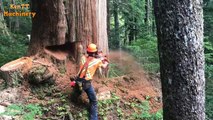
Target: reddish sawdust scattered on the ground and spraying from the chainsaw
{"x": 134, "y": 83}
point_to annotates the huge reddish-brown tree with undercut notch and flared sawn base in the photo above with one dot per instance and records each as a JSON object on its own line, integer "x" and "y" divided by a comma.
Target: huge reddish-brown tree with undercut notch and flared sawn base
{"x": 61, "y": 30}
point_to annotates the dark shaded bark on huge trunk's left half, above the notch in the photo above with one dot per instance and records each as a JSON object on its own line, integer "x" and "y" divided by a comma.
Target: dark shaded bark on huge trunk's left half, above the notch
{"x": 49, "y": 25}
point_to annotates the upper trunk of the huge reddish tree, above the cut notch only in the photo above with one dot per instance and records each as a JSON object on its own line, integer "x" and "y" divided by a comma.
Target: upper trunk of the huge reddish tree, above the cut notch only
{"x": 72, "y": 22}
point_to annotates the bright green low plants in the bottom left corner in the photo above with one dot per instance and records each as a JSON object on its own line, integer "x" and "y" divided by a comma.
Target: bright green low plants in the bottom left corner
{"x": 27, "y": 112}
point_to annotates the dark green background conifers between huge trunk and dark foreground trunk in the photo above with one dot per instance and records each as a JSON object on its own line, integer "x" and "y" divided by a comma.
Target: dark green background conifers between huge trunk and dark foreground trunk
{"x": 131, "y": 14}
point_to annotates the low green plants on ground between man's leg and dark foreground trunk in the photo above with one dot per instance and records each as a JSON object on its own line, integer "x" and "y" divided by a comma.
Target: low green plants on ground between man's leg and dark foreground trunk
{"x": 139, "y": 110}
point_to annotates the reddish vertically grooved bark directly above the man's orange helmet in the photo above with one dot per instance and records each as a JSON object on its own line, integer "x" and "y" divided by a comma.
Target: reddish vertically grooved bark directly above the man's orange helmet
{"x": 82, "y": 21}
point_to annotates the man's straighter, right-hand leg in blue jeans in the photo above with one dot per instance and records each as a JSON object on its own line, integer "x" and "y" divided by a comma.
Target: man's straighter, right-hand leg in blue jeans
{"x": 93, "y": 103}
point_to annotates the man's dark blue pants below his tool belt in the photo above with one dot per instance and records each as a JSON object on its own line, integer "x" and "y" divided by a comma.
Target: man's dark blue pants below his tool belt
{"x": 92, "y": 99}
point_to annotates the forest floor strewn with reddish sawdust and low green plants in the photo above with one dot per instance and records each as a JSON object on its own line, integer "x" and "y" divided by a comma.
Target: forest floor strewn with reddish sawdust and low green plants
{"x": 128, "y": 84}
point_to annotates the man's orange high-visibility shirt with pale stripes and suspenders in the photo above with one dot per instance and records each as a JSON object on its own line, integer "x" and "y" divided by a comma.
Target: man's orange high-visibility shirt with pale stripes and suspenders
{"x": 94, "y": 63}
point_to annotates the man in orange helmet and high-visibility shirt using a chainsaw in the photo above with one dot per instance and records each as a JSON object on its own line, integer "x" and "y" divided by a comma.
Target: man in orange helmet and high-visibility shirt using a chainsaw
{"x": 88, "y": 65}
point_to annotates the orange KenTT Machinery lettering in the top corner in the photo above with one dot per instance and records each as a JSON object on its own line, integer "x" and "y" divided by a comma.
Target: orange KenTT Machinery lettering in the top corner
{"x": 18, "y": 11}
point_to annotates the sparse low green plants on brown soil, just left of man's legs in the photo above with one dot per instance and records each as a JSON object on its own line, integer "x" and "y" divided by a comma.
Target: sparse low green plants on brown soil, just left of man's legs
{"x": 58, "y": 105}
